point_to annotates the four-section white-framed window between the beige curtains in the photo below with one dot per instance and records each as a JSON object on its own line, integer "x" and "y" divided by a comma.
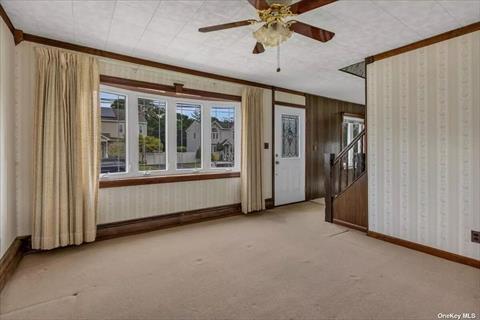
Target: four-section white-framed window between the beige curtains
{"x": 144, "y": 134}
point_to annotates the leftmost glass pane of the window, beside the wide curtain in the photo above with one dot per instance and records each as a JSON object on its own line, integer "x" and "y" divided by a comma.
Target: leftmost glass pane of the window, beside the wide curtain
{"x": 113, "y": 137}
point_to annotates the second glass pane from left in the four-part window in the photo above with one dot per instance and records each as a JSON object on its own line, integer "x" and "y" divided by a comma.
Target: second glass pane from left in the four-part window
{"x": 151, "y": 135}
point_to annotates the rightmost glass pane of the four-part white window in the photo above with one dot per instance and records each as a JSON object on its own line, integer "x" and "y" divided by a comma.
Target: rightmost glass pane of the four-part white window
{"x": 223, "y": 137}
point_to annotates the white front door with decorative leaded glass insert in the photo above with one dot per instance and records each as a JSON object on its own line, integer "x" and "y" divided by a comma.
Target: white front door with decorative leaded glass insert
{"x": 289, "y": 159}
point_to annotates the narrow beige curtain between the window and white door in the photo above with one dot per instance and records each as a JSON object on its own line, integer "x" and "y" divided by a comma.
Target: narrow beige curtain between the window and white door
{"x": 252, "y": 151}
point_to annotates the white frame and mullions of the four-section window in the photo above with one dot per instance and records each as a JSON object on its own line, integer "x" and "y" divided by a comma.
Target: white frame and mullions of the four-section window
{"x": 132, "y": 128}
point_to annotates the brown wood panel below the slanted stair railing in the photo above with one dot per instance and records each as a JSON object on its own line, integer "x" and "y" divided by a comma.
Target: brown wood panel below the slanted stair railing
{"x": 350, "y": 206}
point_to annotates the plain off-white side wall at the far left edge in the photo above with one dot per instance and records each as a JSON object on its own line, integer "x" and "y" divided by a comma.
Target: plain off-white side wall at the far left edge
{"x": 8, "y": 229}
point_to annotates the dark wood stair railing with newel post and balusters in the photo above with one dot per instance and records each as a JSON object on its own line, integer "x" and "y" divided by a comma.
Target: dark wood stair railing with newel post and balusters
{"x": 343, "y": 170}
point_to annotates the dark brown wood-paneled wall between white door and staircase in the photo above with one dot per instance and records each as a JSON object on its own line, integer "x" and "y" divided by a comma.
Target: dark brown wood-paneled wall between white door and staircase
{"x": 323, "y": 135}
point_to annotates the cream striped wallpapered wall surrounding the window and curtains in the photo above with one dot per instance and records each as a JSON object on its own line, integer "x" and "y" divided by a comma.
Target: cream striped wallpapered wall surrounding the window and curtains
{"x": 125, "y": 203}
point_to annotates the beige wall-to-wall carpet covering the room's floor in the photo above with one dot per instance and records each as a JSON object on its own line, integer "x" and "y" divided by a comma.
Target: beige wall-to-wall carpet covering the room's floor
{"x": 284, "y": 264}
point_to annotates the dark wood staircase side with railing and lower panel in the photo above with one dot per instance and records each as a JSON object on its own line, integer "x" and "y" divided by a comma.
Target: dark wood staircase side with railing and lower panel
{"x": 346, "y": 185}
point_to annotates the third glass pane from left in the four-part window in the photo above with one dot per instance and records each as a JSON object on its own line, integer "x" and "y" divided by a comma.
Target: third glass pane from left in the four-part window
{"x": 189, "y": 136}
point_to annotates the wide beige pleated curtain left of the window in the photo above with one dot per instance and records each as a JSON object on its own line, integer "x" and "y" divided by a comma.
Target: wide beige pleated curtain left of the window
{"x": 66, "y": 149}
